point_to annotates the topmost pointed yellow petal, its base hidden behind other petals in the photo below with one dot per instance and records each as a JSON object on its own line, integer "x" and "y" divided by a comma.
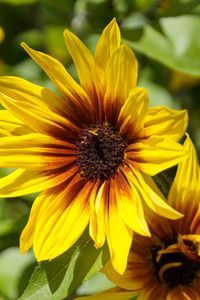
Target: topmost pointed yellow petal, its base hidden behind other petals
{"x": 108, "y": 42}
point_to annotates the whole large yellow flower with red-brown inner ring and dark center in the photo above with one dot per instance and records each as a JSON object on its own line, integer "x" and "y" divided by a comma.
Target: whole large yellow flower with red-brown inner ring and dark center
{"x": 89, "y": 150}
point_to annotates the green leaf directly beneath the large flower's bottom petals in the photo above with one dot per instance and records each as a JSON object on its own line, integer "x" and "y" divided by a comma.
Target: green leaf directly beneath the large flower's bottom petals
{"x": 61, "y": 277}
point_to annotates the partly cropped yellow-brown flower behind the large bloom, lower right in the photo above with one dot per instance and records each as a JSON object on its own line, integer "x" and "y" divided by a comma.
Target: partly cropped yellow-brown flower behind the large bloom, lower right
{"x": 166, "y": 266}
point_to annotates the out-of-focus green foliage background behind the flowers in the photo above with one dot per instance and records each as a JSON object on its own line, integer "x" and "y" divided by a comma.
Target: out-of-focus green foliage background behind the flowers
{"x": 165, "y": 37}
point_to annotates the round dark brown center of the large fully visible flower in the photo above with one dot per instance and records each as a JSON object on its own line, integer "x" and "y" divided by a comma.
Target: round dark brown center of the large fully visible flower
{"x": 100, "y": 150}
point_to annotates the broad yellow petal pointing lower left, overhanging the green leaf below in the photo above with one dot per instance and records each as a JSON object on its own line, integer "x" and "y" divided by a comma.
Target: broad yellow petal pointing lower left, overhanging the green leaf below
{"x": 67, "y": 217}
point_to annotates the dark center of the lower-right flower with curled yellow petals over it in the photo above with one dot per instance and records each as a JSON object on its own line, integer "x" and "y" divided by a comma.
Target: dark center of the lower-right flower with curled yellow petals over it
{"x": 174, "y": 267}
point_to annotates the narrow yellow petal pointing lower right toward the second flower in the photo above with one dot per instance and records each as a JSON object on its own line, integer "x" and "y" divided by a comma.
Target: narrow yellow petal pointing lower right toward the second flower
{"x": 148, "y": 190}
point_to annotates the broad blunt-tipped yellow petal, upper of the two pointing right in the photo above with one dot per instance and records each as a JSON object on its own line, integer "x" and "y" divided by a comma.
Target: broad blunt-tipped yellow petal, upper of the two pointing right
{"x": 165, "y": 121}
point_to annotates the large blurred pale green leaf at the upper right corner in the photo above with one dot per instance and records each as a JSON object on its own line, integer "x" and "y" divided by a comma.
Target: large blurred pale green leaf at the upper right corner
{"x": 179, "y": 46}
